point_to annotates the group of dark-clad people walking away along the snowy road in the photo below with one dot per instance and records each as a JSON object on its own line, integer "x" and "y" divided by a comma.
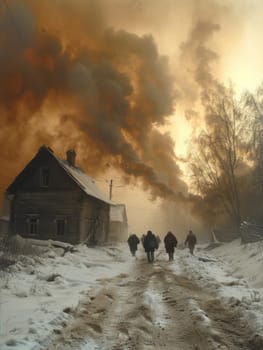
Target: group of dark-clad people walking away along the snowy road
{"x": 151, "y": 242}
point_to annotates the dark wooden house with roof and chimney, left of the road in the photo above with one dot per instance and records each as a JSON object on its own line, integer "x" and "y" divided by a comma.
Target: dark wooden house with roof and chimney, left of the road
{"x": 54, "y": 199}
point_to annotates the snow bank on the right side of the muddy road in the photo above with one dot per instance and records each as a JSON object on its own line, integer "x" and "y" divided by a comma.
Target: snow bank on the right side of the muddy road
{"x": 232, "y": 273}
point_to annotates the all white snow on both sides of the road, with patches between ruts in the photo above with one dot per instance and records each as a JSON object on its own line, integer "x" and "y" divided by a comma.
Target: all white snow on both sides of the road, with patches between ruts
{"x": 37, "y": 289}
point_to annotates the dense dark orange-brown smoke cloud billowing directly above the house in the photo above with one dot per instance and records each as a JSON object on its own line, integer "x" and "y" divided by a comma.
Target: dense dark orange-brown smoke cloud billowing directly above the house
{"x": 74, "y": 83}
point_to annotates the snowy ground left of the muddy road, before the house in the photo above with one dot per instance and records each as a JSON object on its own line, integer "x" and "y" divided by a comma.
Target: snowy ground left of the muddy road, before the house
{"x": 31, "y": 308}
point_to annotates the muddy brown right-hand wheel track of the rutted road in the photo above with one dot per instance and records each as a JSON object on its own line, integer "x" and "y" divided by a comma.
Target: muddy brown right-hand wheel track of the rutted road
{"x": 204, "y": 319}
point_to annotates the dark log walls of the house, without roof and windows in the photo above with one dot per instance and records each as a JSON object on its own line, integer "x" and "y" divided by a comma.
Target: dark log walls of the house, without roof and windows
{"x": 61, "y": 199}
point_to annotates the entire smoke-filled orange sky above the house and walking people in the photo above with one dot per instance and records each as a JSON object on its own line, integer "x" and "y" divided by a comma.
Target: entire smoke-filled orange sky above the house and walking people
{"x": 120, "y": 81}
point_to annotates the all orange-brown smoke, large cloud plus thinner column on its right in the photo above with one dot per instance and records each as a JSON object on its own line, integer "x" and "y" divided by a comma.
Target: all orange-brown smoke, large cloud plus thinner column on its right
{"x": 71, "y": 79}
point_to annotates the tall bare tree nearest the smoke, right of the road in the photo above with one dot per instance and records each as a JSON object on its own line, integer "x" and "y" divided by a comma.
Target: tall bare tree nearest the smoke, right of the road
{"x": 218, "y": 153}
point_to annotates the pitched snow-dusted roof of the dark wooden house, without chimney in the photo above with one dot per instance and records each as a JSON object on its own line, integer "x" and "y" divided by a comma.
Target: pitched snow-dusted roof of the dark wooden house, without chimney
{"x": 82, "y": 180}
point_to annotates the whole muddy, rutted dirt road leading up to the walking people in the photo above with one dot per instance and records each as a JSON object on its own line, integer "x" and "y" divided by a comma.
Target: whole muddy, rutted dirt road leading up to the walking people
{"x": 152, "y": 308}
